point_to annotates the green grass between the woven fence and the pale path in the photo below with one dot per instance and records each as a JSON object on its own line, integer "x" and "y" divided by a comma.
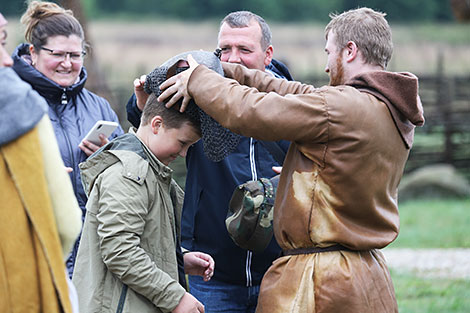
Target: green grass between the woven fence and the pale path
{"x": 434, "y": 224}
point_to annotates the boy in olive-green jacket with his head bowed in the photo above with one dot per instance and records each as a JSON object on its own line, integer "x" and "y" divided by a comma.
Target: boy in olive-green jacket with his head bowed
{"x": 130, "y": 258}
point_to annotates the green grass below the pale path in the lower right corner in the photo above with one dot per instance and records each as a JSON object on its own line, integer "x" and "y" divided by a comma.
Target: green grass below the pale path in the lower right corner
{"x": 430, "y": 295}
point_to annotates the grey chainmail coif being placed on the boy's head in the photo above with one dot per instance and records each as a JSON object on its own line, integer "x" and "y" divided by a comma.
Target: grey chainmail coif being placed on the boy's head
{"x": 218, "y": 142}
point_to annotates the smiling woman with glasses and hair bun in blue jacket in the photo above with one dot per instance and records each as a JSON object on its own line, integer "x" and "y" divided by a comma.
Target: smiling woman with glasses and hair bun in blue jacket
{"x": 52, "y": 63}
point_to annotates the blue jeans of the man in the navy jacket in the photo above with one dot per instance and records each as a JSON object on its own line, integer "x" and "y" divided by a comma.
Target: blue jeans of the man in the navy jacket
{"x": 218, "y": 296}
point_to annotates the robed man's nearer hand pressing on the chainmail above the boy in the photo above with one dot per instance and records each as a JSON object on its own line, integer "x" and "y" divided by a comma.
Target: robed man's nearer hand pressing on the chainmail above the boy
{"x": 176, "y": 87}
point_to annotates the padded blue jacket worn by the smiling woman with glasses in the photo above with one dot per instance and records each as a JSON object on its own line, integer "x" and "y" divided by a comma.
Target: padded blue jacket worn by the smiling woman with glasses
{"x": 73, "y": 111}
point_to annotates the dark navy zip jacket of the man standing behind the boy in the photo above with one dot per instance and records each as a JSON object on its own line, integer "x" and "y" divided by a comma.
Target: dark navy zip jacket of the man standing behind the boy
{"x": 208, "y": 190}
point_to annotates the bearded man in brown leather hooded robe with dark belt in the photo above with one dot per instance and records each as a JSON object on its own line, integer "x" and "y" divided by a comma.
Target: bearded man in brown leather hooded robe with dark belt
{"x": 336, "y": 203}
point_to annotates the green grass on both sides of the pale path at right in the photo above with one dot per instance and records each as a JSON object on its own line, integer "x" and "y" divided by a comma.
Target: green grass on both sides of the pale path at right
{"x": 432, "y": 224}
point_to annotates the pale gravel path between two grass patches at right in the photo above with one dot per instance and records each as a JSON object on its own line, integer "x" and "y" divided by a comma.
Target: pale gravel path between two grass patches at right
{"x": 450, "y": 263}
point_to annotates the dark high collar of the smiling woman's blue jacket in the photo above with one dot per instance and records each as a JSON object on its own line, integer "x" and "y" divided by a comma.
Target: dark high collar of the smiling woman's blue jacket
{"x": 43, "y": 85}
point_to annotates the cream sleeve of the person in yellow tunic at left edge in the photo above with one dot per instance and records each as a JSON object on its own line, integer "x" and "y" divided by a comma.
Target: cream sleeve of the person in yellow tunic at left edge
{"x": 67, "y": 213}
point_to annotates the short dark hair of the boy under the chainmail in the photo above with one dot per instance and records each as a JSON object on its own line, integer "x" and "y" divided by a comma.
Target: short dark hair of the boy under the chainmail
{"x": 171, "y": 116}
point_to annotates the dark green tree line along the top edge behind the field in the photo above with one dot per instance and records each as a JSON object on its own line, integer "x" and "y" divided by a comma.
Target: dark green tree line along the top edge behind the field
{"x": 273, "y": 10}
